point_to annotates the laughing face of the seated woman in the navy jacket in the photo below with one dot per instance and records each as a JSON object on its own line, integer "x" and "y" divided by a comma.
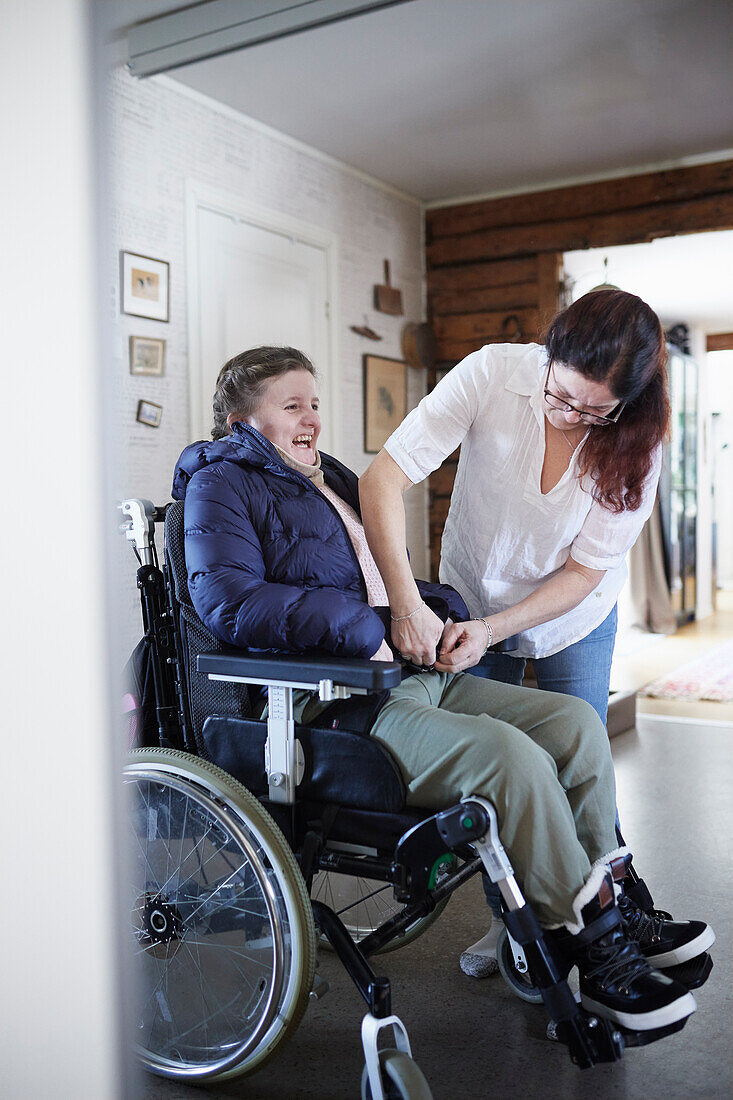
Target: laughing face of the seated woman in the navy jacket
{"x": 288, "y": 415}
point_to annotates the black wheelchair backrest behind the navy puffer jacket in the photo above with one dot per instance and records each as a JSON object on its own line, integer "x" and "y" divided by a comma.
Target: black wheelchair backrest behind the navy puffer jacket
{"x": 204, "y": 697}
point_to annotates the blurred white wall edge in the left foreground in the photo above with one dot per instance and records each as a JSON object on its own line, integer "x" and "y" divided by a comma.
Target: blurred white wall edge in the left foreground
{"x": 59, "y": 1028}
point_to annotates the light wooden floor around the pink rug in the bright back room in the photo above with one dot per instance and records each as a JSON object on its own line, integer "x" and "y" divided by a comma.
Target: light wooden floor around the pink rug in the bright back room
{"x": 662, "y": 657}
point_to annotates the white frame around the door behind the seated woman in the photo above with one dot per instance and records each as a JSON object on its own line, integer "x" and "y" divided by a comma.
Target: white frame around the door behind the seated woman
{"x": 239, "y": 210}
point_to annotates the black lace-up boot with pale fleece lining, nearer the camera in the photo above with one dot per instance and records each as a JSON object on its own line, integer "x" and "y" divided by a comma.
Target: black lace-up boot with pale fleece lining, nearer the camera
{"x": 616, "y": 980}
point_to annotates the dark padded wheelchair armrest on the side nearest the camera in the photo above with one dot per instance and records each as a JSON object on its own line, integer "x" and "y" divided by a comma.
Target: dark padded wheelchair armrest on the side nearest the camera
{"x": 302, "y": 672}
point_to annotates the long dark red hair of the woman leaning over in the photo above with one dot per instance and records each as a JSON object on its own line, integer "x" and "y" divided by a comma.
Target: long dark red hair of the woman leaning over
{"x": 612, "y": 337}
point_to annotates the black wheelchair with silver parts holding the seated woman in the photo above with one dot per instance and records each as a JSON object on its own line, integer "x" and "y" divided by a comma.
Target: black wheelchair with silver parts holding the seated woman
{"x": 257, "y": 841}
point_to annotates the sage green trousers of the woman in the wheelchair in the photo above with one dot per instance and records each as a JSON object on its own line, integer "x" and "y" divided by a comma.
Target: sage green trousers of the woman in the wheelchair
{"x": 543, "y": 760}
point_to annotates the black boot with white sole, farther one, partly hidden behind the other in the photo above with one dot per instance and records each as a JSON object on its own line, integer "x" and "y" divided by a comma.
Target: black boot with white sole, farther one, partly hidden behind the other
{"x": 663, "y": 941}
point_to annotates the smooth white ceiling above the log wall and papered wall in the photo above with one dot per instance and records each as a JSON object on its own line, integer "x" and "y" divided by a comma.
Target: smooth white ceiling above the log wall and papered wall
{"x": 448, "y": 98}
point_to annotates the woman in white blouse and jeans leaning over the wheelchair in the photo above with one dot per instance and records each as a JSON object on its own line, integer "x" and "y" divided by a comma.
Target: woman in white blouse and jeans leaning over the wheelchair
{"x": 561, "y": 453}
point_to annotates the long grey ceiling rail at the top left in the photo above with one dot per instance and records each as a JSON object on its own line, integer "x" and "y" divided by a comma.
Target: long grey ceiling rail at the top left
{"x": 221, "y": 27}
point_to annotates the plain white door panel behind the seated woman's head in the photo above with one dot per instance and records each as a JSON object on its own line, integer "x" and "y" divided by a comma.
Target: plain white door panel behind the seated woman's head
{"x": 256, "y": 285}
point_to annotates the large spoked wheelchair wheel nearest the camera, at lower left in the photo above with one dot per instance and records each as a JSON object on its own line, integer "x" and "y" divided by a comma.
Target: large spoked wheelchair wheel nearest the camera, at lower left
{"x": 223, "y": 930}
